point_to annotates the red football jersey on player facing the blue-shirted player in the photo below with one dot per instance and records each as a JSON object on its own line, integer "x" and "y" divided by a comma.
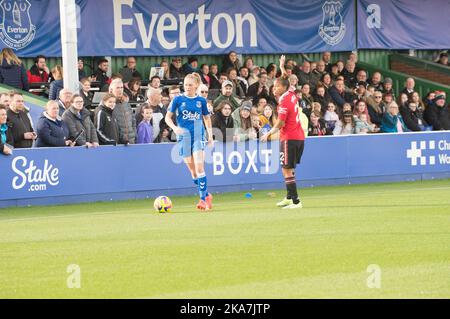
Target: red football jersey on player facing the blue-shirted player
{"x": 288, "y": 112}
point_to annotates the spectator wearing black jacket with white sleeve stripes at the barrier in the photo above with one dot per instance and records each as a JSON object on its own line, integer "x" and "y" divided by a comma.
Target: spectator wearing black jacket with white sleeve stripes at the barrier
{"x": 105, "y": 121}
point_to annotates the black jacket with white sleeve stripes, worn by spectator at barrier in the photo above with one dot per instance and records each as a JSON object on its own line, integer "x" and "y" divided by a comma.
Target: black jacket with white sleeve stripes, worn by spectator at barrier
{"x": 106, "y": 126}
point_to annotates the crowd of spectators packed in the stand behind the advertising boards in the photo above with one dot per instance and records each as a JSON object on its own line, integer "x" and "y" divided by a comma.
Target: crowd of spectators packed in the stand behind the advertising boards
{"x": 337, "y": 98}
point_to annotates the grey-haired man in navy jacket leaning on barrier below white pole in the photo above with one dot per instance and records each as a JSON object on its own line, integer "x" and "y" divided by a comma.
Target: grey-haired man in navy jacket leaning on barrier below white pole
{"x": 51, "y": 130}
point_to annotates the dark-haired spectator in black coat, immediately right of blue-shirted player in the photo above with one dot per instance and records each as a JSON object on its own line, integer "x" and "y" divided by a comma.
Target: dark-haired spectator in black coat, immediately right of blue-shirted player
{"x": 223, "y": 123}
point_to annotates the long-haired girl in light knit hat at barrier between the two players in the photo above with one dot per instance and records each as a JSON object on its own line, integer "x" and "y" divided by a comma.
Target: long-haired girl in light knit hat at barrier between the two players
{"x": 243, "y": 126}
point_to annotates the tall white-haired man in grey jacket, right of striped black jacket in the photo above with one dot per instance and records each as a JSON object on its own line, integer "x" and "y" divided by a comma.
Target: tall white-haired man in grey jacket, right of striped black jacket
{"x": 123, "y": 113}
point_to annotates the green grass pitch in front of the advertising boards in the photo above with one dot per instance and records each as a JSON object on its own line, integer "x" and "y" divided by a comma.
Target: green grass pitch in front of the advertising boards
{"x": 245, "y": 248}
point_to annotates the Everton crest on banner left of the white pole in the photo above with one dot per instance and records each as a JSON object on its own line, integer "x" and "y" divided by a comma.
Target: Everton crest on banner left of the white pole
{"x": 16, "y": 28}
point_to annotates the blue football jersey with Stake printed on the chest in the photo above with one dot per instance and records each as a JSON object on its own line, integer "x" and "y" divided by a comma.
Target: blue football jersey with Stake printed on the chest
{"x": 189, "y": 112}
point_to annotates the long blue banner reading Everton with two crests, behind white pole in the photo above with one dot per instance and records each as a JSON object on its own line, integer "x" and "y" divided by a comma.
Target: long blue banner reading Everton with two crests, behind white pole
{"x": 159, "y": 27}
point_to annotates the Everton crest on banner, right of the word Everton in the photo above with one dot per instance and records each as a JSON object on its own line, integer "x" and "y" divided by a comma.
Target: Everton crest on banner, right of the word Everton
{"x": 332, "y": 29}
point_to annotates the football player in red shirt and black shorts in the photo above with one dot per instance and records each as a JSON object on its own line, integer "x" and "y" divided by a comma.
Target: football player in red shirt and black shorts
{"x": 292, "y": 139}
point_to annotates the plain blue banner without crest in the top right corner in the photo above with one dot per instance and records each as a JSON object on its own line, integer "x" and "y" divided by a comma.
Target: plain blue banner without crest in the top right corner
{"x": 403, "y": 24}
